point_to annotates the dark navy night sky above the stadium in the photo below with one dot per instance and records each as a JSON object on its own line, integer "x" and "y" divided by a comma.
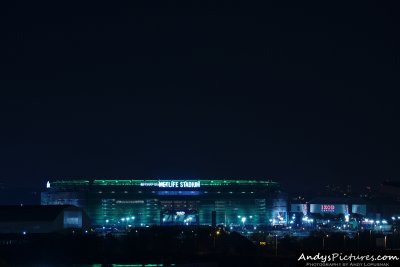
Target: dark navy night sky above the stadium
{"x": 304, "y": 93}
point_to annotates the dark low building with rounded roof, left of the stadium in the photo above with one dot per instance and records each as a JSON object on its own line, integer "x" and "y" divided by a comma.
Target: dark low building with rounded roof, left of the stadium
{"x": 41, "y": 219}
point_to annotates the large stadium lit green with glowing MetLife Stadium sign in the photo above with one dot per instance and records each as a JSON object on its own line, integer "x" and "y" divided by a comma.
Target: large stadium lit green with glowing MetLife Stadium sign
{"x": 148, "y": 202}
